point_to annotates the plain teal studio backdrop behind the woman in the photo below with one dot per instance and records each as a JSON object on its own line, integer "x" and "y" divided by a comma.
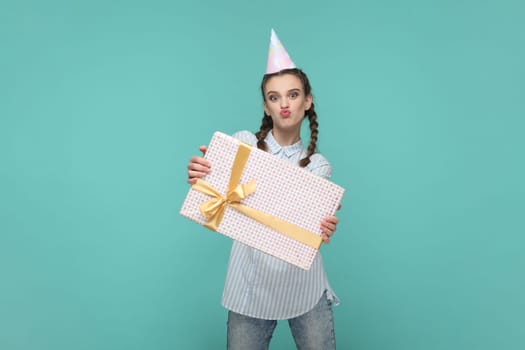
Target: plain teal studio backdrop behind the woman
{"x": 421, "y": 107}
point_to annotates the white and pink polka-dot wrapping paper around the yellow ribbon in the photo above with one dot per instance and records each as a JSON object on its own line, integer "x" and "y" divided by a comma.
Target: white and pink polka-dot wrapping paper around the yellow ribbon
{"x": 283, "y": 190}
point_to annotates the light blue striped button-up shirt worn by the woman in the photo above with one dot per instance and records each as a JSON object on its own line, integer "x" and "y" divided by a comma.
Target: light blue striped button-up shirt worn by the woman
{"x": 259, "y": 285}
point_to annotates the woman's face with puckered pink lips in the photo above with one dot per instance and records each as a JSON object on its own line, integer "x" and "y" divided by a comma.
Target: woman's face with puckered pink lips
{"x": 285, "y": 102}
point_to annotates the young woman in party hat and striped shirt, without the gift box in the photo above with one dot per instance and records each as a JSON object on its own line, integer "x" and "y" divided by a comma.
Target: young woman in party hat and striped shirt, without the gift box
{"x": 259, "y": 288}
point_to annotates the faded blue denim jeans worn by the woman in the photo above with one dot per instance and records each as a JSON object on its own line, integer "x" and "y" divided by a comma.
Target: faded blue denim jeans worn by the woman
{"x": 313, "y": 330}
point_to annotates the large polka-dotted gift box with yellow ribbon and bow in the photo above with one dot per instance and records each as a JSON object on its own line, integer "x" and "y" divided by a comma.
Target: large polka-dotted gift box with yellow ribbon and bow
{"x": 262, "y": 201}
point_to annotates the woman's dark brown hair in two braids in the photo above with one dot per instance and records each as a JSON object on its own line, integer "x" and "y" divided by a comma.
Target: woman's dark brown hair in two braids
{"x": 267, "y": 123}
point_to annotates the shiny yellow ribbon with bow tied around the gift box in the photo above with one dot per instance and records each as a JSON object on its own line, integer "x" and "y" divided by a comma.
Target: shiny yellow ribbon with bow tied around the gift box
{"x": 214, "y": 209}
